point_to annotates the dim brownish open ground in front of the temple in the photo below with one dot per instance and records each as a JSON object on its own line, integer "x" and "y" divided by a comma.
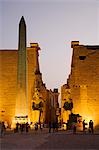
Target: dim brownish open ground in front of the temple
{"x": 61, "y": 140}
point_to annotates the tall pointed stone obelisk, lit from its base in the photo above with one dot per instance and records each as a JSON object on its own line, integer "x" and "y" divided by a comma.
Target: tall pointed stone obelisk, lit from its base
{"x": 21, "y": 113}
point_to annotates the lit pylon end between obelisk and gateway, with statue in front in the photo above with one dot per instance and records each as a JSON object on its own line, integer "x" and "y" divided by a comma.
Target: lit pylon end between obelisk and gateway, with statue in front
{"x": 36, "y": 88}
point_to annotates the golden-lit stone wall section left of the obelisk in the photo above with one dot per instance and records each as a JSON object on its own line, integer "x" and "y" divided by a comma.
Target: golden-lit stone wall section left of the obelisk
{"x": 8, "y": 80}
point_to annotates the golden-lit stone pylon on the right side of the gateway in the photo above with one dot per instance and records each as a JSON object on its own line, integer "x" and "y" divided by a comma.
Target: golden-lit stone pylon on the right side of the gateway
{"x": 84, "y": 81}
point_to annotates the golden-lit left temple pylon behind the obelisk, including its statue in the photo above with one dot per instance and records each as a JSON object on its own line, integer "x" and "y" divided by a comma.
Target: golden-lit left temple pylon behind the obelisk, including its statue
{"x": 37, "y": 92}
